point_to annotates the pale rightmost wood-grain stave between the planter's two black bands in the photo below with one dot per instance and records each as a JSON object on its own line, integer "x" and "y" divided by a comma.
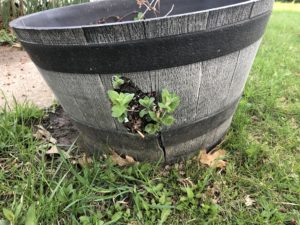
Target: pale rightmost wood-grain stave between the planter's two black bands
{"x": 244, "y": 64}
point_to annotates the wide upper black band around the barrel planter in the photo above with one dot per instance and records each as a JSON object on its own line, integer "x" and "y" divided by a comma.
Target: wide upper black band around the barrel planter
{"x": 148, "y": 54}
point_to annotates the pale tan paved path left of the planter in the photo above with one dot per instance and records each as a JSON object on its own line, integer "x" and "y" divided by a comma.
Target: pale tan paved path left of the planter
{"x": 20, "y": 78}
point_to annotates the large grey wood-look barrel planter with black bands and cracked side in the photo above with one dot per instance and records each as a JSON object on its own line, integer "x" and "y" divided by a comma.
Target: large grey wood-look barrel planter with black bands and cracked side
{"x": 203, "y": 51}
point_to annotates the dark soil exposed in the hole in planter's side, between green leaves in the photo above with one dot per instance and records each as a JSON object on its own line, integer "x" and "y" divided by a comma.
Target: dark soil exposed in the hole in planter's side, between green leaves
{"x": 135, "y": 122}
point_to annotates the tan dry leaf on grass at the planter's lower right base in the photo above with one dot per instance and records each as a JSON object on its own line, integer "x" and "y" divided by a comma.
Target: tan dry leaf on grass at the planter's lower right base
{"x": 213, "y": 159}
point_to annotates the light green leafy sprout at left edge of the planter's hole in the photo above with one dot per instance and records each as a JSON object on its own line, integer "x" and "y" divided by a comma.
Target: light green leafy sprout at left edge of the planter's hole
{"x": 120, "y": 103}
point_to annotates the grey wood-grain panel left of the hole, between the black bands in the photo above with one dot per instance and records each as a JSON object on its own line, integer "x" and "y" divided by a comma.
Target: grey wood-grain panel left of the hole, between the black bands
{"x": 83, "y": 97}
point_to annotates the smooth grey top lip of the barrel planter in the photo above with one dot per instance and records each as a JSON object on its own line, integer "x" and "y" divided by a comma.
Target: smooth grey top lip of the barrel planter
{"x": 19, "y": 24}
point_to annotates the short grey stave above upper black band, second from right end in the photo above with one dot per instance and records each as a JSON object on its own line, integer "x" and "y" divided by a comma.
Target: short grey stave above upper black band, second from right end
{"x": 230, "y": 15}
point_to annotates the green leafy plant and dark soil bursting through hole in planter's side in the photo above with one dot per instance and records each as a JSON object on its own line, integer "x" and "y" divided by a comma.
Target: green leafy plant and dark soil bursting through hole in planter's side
{"x": 141, "y": 112}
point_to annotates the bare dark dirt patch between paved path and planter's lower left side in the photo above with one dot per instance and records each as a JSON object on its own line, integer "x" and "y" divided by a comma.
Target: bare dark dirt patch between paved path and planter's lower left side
{"x": 61, "y": 127}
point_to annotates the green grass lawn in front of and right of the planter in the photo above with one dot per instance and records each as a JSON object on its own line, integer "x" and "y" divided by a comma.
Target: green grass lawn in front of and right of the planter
{"x": 260, "y": 185}
